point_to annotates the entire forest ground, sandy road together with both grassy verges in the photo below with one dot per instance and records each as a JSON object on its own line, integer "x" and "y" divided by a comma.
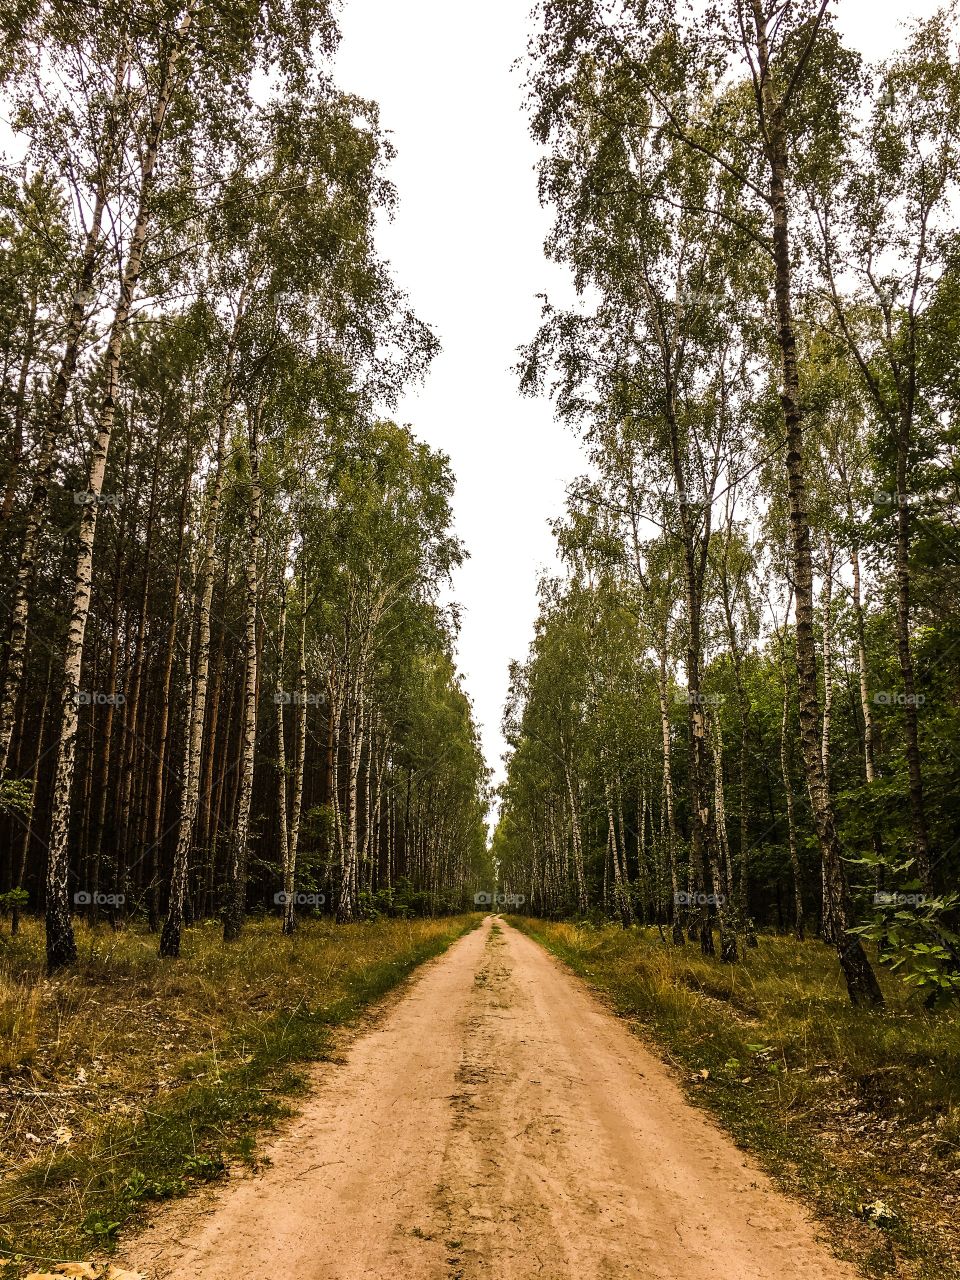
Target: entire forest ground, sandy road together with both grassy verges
{"x": 493, "y": 1118}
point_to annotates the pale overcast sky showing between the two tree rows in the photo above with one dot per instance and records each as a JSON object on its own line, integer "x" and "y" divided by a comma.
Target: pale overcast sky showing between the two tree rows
{"x": 467, "y": 244}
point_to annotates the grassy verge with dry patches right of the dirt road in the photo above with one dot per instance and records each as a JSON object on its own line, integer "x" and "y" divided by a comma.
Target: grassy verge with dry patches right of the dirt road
{"x": 844, "y": 1107}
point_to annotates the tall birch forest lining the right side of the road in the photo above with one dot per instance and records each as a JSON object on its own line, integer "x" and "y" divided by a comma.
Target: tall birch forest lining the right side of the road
{"x": 740, "y": 707}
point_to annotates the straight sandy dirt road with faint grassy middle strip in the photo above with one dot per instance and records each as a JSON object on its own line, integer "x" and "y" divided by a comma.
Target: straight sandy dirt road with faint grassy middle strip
{"x": 497, "y": 1122}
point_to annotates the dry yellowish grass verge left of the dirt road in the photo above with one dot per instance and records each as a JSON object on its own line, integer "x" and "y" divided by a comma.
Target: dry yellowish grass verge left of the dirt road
{"x": 132, "y": 1080}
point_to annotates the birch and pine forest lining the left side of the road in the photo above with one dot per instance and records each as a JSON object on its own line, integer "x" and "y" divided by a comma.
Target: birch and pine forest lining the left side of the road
{"x": 230, "y": 682}
